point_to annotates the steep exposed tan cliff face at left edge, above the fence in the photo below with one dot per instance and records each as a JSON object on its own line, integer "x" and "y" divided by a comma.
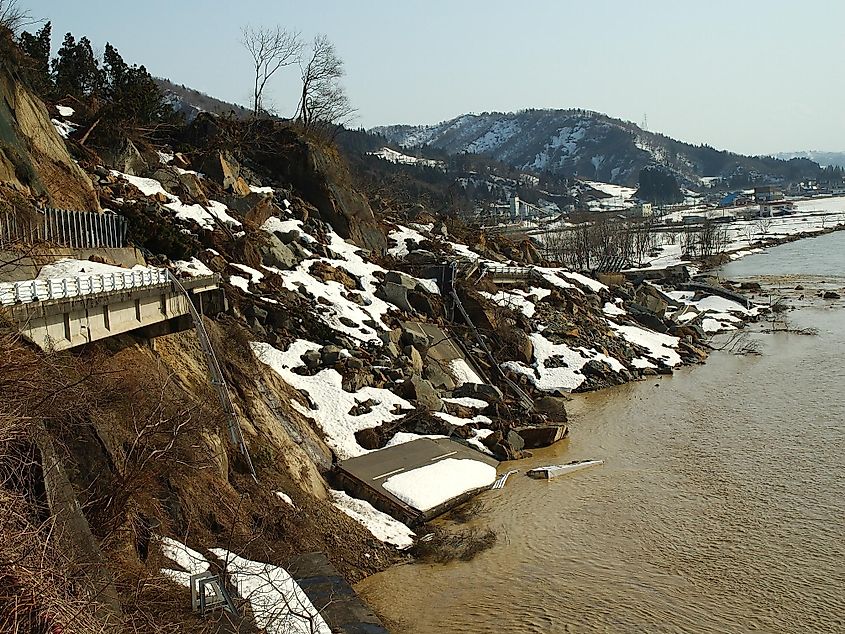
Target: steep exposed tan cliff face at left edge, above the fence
{"x": 33, "y": 157}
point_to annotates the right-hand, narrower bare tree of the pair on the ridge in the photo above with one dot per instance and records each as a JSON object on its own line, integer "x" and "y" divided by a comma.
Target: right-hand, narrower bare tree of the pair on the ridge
{"x": 323, "y": 99}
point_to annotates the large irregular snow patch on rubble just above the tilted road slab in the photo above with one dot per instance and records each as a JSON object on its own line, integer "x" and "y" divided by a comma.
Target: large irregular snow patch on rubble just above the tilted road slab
{"x": 331, "y": 402}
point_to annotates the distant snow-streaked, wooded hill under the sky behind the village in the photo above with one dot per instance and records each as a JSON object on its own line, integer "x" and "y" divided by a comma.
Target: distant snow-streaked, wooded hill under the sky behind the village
{"x": 592, "y": 146}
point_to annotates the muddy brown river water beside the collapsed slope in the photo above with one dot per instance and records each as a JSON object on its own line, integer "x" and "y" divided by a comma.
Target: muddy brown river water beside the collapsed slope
{"x": 721, "y": 506}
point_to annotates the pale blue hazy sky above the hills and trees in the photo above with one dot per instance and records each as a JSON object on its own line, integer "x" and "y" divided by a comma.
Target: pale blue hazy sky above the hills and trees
{"x": 753, "y": 76}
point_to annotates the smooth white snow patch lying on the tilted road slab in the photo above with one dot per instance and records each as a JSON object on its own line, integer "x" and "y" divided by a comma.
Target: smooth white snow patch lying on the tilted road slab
{"x": 429, "y": 486}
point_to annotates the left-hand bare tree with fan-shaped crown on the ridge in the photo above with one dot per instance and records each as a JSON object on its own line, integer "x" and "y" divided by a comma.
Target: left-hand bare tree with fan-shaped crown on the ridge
{"x": 271, "y": 48}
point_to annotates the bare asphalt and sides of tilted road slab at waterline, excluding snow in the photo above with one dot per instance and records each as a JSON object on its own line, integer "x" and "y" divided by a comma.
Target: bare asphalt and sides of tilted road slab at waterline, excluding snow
{"x": 363, "y": 477}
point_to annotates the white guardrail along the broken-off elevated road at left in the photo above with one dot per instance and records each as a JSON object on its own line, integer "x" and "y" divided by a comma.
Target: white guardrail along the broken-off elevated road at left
{"x": 29, "y": 291}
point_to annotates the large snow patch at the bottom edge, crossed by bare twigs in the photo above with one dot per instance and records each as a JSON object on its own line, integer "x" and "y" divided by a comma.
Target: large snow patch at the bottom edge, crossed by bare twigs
{"x": 279, "y": 605}
